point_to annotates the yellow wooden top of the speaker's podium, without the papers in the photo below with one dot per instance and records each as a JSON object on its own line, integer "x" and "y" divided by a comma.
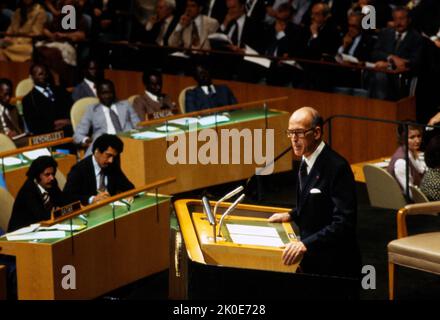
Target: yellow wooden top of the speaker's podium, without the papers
{"x": 198, "y": 237}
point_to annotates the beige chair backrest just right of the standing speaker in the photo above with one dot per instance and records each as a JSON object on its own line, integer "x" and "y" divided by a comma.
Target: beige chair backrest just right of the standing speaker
{"x": 383, "y": 190}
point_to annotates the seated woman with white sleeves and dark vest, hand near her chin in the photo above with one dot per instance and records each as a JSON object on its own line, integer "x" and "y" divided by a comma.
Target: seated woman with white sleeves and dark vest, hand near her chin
{"x": 417, "y": 166}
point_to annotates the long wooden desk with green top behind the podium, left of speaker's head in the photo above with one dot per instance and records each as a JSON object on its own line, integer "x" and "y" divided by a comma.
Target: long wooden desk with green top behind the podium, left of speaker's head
{"x": 145, "y": 160}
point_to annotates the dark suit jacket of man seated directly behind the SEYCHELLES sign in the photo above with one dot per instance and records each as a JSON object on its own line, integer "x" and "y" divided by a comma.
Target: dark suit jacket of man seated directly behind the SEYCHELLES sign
{"x": 40, "y": 113}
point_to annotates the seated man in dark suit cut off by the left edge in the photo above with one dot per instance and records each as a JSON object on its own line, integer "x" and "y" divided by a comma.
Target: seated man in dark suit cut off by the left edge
{"x": 11, "y": 123}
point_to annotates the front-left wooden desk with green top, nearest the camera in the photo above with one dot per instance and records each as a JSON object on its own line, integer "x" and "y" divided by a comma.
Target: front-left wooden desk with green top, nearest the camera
{"x": 106, "y": 255}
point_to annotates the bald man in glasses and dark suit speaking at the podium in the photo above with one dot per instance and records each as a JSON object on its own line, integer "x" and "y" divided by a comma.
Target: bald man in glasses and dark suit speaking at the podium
{"x": 326, "y": 206}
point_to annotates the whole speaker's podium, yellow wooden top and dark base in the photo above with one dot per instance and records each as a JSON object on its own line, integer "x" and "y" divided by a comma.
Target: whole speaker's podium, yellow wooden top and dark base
{"x": 234, "y": 267}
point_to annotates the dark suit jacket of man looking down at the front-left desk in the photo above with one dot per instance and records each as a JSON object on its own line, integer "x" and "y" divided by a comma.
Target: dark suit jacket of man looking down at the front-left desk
{"x": 81, "y": 181}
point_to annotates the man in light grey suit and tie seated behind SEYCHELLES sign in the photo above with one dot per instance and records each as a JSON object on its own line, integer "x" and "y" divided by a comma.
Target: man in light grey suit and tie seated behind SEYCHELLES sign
{"x": 108, "y": 116}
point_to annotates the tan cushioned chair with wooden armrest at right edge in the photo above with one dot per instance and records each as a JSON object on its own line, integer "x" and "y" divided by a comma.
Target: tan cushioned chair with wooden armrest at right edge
{"x": 420, "y": 251}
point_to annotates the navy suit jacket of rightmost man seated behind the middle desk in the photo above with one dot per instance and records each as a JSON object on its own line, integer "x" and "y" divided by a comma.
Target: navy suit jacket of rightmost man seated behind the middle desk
{"x": 196, "y": 99}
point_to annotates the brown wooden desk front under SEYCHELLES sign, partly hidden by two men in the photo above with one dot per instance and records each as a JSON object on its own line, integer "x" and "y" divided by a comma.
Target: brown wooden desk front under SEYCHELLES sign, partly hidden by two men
{"x": 16, "y": 175}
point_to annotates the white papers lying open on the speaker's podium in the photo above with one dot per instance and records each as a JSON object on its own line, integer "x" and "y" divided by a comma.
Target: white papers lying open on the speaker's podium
{"x": 254, "y": 235}
